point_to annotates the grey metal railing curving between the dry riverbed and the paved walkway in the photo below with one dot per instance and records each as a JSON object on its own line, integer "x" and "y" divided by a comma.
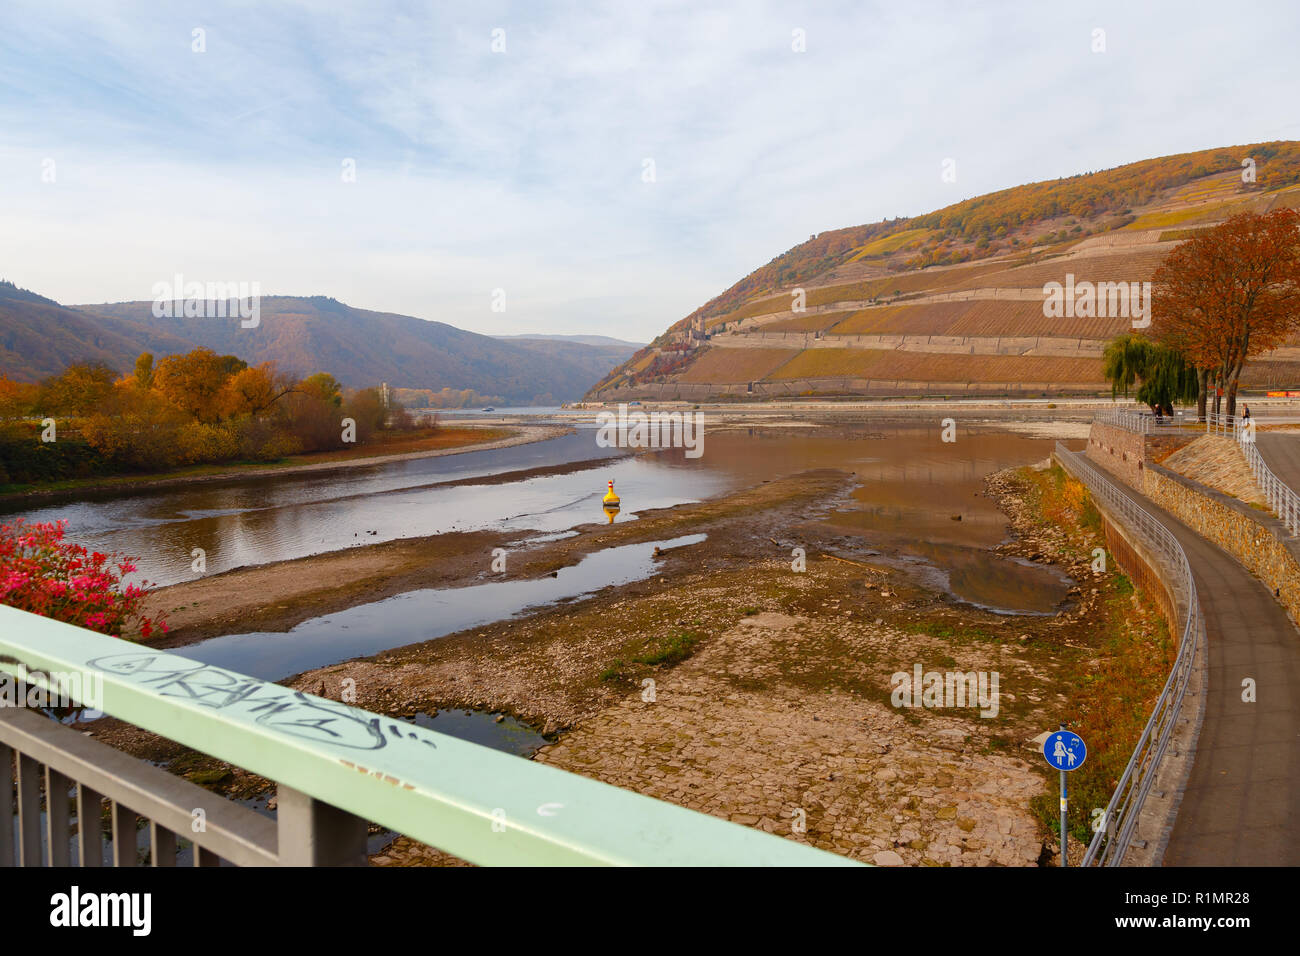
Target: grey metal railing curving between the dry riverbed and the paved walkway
{"x": 1112, "y": 841}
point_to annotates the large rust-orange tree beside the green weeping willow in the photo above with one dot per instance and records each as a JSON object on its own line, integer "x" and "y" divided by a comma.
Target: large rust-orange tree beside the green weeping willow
{"x": 1230, "y": 295}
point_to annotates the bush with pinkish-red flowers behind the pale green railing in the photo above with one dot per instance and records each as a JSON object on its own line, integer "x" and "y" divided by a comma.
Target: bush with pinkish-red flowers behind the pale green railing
{"x": 44, "y": 574}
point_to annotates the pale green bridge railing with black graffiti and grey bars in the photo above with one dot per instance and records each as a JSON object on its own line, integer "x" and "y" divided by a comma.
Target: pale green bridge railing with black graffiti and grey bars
{"x": 337, "y": 771}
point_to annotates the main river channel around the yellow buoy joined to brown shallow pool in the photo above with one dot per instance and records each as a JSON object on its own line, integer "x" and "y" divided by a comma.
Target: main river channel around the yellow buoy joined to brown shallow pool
{"x": 917, "y": 495}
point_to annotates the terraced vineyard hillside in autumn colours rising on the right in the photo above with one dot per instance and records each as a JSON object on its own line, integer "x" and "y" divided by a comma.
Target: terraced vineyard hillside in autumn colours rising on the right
{"x": 954, "y": 302}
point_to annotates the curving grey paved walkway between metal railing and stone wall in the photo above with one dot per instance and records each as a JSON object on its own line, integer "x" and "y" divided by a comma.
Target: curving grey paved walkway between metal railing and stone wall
{"x": 1242, "y": 804}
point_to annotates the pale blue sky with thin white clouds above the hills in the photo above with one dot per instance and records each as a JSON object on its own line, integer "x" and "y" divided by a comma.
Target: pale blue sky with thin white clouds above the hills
{"x": 564, "y": 167}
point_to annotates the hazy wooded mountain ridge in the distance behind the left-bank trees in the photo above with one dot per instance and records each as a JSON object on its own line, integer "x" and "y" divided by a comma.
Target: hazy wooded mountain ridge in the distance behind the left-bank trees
{"x": 302, "y": 335}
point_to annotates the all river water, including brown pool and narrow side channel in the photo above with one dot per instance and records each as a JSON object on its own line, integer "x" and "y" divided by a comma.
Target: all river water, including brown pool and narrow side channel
{"x": 918, "y": 504}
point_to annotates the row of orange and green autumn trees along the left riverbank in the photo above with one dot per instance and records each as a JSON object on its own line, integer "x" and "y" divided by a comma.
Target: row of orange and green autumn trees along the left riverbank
{"x": 183, "y": 410}
